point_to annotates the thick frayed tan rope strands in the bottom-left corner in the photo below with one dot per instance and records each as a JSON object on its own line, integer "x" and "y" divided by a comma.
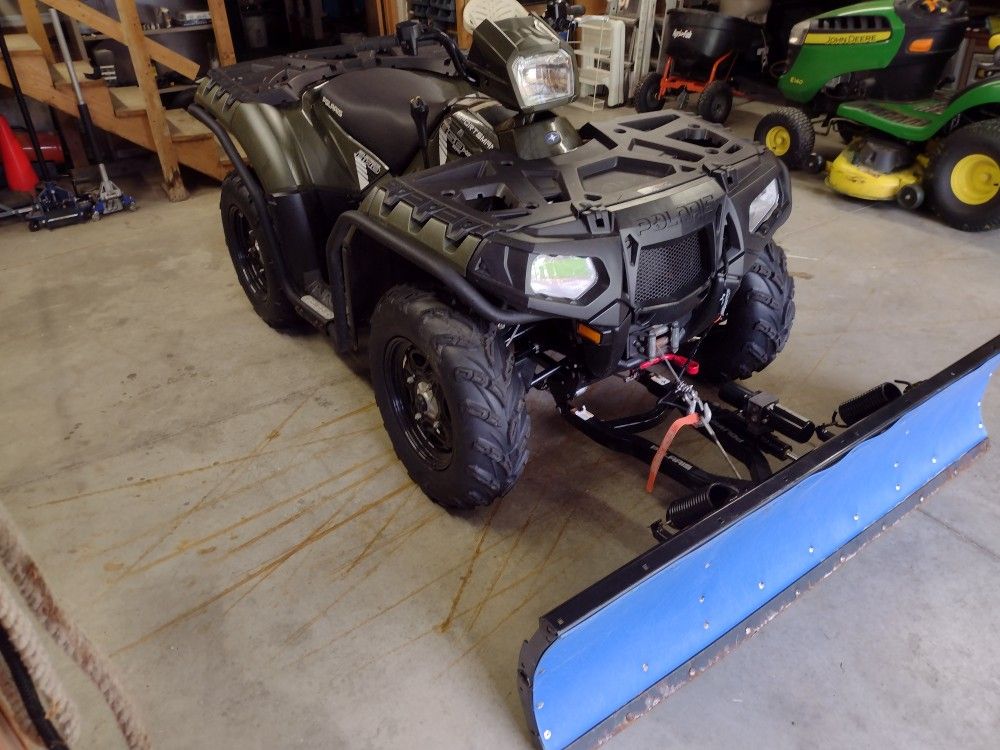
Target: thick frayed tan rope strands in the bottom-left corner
{"x": 28, "y": 580}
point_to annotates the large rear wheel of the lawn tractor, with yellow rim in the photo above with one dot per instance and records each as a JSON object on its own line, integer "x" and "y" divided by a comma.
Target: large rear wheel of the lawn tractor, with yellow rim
{"x": 963, "y": 180}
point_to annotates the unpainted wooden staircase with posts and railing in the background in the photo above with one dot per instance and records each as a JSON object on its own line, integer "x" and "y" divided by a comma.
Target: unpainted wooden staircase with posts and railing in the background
{"x": 134, "y": 113}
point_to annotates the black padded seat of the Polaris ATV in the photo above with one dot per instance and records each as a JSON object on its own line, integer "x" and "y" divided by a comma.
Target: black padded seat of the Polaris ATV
{"x": 375, "y": 107}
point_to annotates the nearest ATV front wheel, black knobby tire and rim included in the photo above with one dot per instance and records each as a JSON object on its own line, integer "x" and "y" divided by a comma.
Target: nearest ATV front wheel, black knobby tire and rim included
{"x": 463, "y": 369}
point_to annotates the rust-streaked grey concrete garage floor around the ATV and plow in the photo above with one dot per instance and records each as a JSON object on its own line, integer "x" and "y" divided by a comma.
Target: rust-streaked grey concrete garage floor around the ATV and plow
{"x": 219, "y": 507}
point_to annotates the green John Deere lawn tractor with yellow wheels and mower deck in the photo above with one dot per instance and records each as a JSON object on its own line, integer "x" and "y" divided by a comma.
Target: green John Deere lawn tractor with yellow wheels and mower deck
{"x": 872, "y": 72}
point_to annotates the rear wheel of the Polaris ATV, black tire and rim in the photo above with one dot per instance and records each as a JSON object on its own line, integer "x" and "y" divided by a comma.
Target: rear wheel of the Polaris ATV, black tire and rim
{"x": 256, "y": 262}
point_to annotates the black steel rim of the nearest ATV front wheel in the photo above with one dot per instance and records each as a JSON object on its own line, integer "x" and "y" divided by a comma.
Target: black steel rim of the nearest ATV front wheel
{"x": 418, "y": 402}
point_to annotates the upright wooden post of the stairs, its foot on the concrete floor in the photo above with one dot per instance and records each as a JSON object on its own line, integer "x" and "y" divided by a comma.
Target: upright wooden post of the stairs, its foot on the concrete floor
{"x": 145, "y": 75}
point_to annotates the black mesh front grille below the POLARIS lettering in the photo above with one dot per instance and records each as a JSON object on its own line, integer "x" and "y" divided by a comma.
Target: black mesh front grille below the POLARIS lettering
{"x": 671, "y": 270}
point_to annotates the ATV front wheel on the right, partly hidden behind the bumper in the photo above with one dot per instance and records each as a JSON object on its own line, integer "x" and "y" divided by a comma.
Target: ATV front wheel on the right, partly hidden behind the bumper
{"x": 758, "y": 321}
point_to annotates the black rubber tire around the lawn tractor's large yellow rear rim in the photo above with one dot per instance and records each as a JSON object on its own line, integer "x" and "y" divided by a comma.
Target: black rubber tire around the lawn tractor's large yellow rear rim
{"x": 981, "y": 139}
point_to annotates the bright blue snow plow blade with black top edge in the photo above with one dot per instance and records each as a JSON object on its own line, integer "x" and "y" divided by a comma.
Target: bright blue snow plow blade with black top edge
{"x": 607, "y": 655}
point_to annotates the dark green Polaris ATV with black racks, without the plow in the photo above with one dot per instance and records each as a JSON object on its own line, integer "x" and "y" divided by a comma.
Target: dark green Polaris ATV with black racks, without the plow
{"x": 432, "y": 202}
